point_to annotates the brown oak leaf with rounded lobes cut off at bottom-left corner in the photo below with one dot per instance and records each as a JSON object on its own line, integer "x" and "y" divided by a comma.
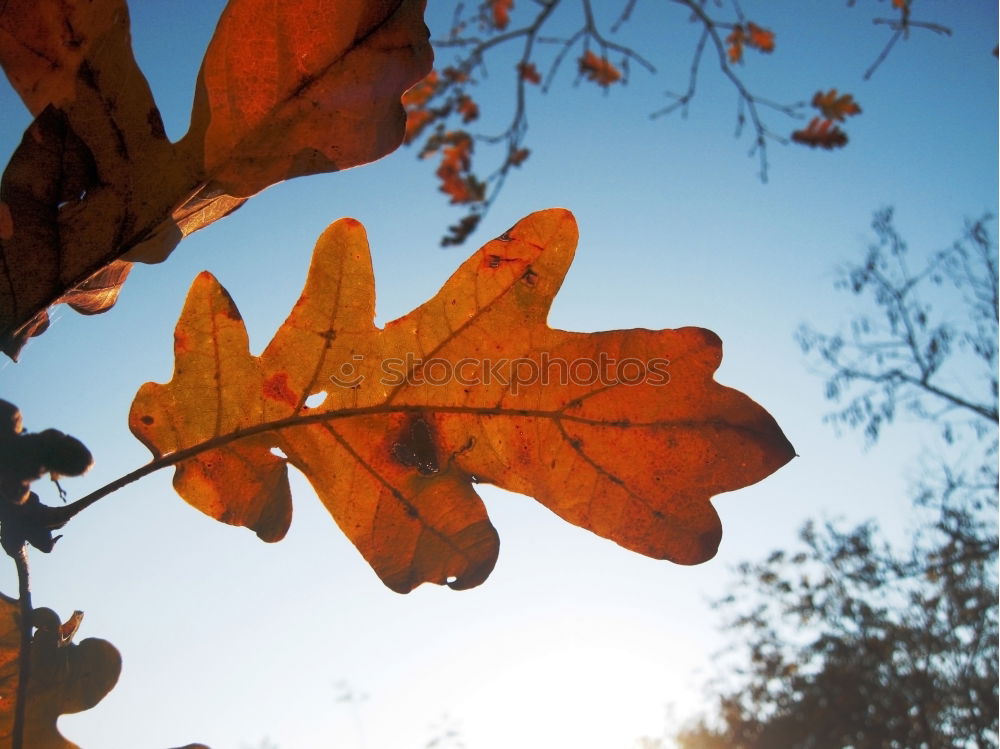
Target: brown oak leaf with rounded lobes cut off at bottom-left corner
{"x": 66, "y": 677}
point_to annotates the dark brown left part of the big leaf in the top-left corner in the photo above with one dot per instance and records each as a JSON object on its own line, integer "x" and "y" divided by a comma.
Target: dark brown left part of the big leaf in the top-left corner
{"x": 94, "y": 172}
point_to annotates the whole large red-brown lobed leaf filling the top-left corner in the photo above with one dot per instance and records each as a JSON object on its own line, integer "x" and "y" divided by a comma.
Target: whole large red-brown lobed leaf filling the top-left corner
{"x": 286, "y": 89}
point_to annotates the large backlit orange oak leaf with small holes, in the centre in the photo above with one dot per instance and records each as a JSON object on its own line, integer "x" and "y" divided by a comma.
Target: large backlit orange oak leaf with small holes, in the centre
{"x": 624, "y": 433}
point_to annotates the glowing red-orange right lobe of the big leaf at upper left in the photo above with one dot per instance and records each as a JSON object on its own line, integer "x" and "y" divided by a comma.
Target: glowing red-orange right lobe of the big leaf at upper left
{"x": 295, "y": 88}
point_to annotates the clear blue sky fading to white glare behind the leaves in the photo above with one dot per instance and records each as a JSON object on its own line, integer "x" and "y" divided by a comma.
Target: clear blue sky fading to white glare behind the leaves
{"x": 572, "y": 641}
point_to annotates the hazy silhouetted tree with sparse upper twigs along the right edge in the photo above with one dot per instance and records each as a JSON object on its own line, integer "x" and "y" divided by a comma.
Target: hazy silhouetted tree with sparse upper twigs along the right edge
{"x": 849, "y": 640}
